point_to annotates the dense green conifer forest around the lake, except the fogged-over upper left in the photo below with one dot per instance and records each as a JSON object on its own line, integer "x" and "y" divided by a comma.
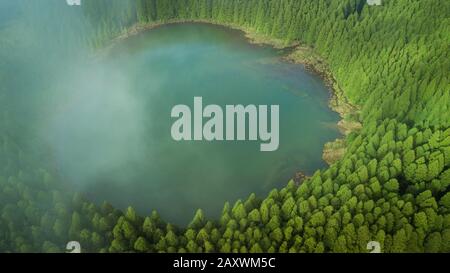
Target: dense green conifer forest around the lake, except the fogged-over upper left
{"x": 391, "y": 186}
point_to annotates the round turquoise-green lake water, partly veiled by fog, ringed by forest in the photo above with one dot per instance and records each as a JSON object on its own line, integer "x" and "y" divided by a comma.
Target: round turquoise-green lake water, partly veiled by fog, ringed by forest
{"x": 112, "y": 137}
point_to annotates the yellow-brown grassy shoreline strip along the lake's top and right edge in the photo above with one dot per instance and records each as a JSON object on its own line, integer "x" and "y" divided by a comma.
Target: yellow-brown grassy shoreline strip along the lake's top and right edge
{"x": 300, "y": 54}
